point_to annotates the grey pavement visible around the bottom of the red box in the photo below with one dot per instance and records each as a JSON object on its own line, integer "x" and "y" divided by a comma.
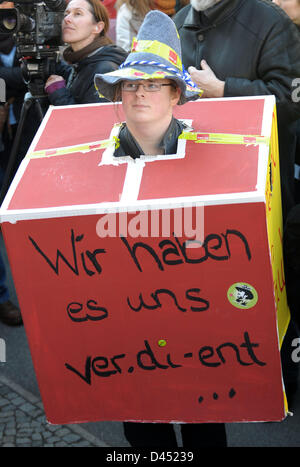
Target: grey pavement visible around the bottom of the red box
{"x": 23, "y": 422}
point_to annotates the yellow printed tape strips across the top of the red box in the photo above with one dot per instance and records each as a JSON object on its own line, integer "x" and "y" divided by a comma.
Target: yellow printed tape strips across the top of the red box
{"x": 197, "y": 137}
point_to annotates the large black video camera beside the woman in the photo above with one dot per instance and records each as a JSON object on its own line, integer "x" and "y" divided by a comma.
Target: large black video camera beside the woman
{"x": 36, "y": 26}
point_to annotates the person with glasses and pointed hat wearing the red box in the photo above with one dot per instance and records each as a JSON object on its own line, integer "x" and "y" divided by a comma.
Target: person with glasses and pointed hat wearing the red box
{"x": 150, "y": 82}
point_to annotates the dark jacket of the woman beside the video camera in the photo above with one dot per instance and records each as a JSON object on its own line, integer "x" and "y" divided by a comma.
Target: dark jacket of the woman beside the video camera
{"x": 80, "y": 76}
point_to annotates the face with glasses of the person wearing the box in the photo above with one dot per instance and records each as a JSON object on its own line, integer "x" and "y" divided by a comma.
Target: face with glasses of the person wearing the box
{"x": 149, "y": 107}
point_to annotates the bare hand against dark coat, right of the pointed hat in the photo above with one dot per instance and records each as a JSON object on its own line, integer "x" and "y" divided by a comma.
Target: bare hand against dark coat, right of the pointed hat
{"x": 207, "y": 80}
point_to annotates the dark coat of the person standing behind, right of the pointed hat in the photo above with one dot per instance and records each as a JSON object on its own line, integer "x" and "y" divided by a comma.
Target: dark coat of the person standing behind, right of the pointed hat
{"x": 250, "y": 44}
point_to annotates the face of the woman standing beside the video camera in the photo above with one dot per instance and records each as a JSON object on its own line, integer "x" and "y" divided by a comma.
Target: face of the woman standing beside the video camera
{"x": 79, "y": 27}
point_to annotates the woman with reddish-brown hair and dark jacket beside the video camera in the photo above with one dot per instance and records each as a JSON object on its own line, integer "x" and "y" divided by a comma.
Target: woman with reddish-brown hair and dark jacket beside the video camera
{"x": 90, "y": 51}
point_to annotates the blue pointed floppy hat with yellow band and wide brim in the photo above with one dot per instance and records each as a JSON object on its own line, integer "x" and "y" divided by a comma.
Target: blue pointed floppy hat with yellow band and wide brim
{"x": 155, "y": 53}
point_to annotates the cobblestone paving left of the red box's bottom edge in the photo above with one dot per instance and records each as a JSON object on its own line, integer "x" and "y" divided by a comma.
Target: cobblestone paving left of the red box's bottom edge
{"x": 23, "y": 422}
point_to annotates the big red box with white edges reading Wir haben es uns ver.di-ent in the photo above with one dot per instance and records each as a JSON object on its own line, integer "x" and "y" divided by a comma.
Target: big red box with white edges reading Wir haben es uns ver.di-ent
{"x": 126, "y": 318}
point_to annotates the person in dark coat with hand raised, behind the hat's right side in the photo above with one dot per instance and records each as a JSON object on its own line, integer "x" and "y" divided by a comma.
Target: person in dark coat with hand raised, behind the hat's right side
{"x": 246, "y": 48}
